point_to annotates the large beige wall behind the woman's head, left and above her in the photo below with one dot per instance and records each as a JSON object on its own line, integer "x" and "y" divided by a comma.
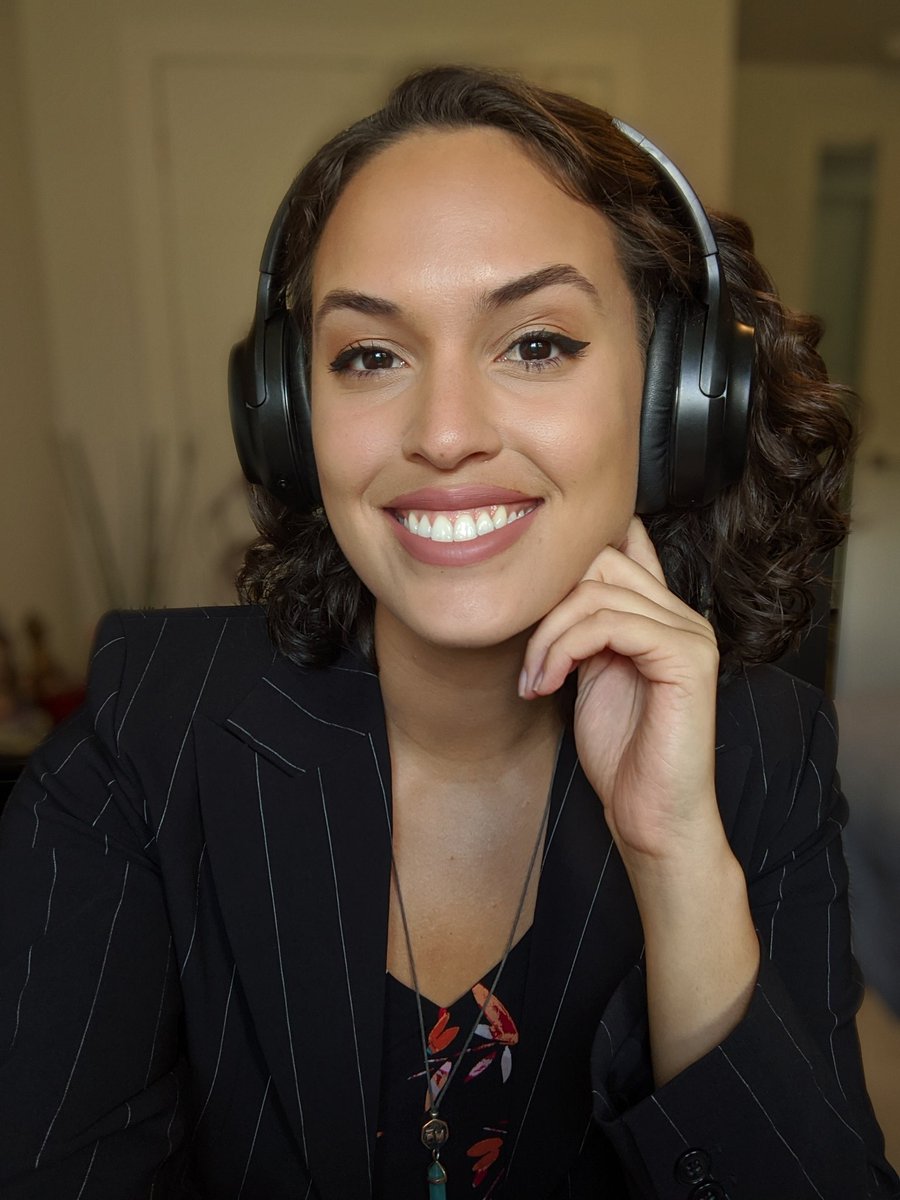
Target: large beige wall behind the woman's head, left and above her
{"x": 160, "y": 137}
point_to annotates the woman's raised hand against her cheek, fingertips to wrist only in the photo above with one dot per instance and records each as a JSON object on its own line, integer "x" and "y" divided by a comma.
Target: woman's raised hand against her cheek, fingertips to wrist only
{"x": 645, "y": 716}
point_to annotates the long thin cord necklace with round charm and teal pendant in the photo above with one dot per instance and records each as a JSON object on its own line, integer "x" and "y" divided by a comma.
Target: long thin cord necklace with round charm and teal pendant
{"x": 435, "y": 1131}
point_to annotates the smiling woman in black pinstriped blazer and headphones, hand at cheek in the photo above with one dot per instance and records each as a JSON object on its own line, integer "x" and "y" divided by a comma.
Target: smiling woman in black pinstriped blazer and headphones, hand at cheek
{"x": 481, "y": 853}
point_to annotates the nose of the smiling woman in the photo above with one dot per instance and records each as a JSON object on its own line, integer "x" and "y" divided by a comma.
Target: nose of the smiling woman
{"x": 452, "y": 419}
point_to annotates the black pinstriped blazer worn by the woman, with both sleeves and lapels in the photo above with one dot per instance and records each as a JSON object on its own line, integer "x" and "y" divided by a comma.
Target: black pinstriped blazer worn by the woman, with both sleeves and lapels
{"x": 194, "y": 902}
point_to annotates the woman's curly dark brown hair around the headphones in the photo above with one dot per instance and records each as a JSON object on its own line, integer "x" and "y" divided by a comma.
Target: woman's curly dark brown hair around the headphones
{"x": 748, "y": 560}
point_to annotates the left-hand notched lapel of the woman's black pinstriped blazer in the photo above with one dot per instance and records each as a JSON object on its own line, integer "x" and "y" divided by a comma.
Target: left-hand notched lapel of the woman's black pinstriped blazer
{"x": 296, "y": 805}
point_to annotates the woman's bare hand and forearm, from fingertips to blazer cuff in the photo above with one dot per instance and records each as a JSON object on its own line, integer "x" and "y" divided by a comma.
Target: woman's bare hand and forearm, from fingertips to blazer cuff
{"x": 645, "y": 725}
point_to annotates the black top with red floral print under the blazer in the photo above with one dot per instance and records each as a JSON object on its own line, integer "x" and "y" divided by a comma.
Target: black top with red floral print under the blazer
{"x": 478, "y": 1103}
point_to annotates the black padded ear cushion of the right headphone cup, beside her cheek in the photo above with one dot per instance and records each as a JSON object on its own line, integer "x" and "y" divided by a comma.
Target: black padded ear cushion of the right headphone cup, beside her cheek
{"x": 661, "y": 386}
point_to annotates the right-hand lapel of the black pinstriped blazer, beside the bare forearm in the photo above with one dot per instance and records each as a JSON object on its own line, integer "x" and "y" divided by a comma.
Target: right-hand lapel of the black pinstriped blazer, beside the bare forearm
{"x": 586, "y": 938}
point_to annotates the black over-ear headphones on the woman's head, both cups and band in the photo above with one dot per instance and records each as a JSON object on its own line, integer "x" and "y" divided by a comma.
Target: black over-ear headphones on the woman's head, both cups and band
{"x": 697, "y": 397}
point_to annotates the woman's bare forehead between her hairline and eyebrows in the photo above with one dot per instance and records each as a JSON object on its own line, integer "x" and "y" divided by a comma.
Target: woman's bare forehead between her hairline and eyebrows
{"x": 449, "y": 208}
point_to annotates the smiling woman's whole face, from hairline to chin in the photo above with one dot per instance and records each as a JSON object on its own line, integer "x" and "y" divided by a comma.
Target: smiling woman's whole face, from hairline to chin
{"x": 477, "y": 386}
